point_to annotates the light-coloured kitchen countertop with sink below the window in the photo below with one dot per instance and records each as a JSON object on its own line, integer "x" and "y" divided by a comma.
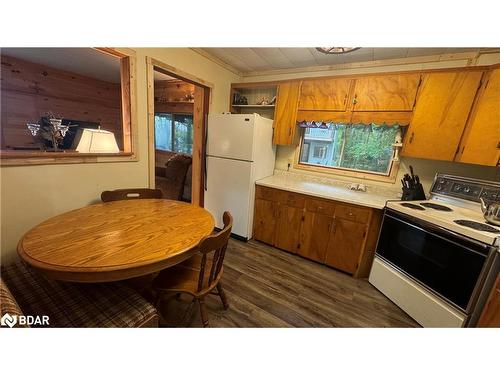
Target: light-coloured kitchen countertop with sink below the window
{"x": 374, "y": 197}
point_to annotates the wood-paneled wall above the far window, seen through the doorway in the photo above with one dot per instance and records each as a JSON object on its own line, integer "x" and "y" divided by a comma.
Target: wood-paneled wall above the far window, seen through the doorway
{"x": 170, "y": 96}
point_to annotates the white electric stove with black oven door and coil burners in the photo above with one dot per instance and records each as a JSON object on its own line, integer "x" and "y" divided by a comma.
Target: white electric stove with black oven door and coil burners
{"x": 437, "y": 259}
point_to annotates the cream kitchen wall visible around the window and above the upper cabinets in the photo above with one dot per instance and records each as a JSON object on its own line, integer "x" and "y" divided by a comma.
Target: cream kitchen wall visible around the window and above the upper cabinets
{"x": 426, "y": 169}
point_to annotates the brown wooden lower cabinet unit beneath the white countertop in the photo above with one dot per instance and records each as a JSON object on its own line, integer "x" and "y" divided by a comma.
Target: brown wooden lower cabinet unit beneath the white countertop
{"x": 339, "y": 235}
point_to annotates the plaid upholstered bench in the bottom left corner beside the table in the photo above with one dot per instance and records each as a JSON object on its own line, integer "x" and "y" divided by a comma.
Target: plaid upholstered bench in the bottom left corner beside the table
{"x": 71, "y": 304}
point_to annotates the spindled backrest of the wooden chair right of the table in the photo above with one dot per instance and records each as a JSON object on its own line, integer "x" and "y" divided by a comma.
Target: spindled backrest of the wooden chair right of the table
{"x": 215, "y": 245}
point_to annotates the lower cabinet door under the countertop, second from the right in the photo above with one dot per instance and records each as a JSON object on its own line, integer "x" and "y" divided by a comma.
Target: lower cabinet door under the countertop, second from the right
{"x": 314, "y": 236}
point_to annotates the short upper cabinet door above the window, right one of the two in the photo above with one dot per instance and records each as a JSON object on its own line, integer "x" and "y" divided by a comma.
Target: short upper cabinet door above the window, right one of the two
{"x": 395, "y": 92}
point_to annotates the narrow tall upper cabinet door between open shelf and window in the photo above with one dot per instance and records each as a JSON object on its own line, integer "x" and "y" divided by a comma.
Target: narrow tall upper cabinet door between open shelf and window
{"x": 285, "y": 114}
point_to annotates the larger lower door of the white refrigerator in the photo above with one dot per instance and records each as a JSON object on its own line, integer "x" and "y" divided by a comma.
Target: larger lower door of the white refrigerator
{"x": 229, "y": 184}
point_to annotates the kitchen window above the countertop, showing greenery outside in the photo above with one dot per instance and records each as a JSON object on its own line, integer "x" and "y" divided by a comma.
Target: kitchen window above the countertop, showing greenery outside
{"x": 364, "y": 149}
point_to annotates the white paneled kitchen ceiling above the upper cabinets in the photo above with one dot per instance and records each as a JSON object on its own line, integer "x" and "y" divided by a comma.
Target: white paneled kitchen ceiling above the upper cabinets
{"x": 247, "y": 60}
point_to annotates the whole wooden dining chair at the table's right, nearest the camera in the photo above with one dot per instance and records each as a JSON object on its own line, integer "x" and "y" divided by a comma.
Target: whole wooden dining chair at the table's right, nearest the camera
{"x": 200, "y": 274}
